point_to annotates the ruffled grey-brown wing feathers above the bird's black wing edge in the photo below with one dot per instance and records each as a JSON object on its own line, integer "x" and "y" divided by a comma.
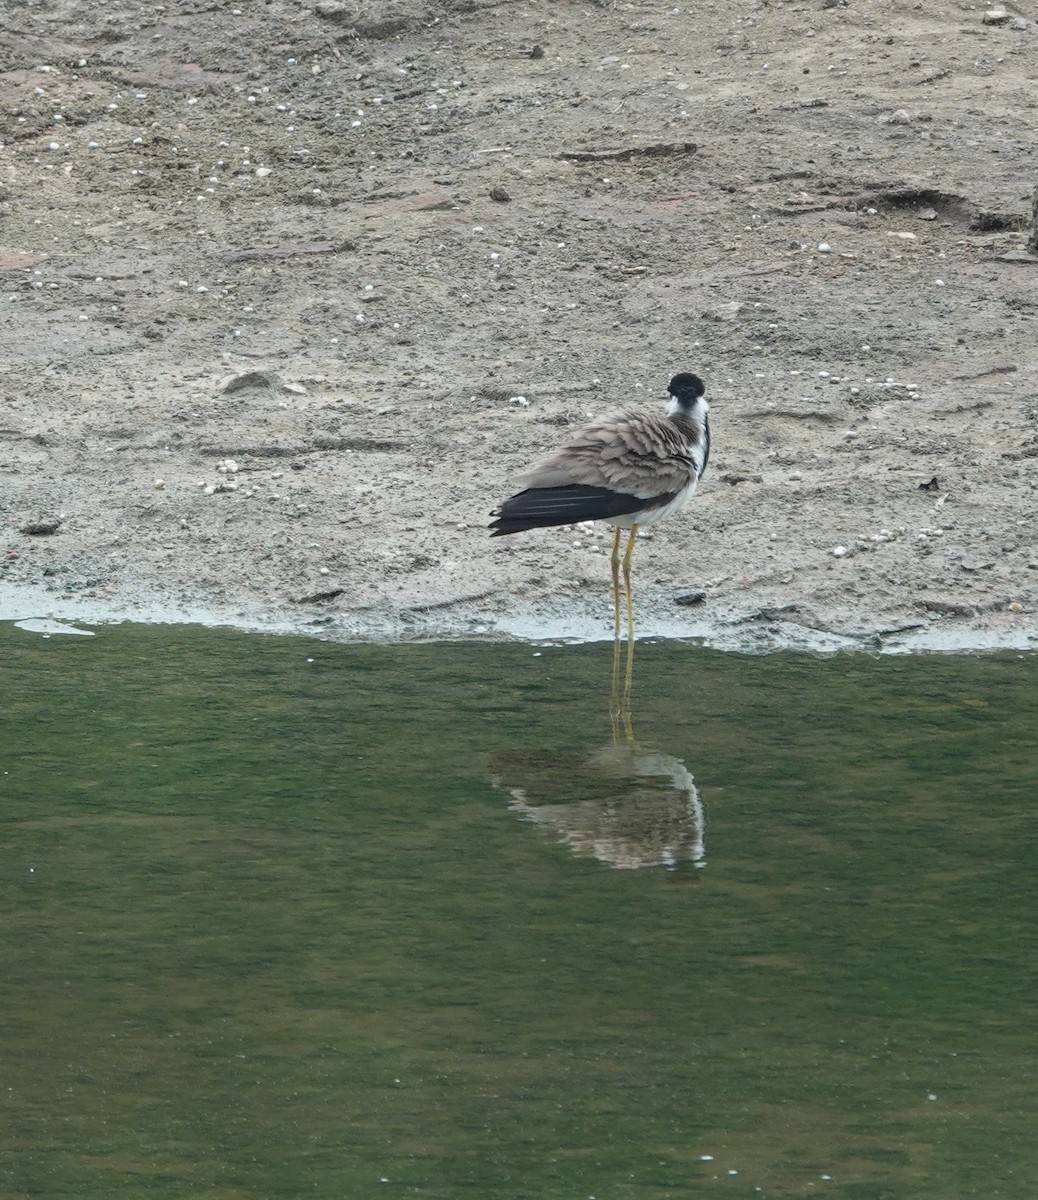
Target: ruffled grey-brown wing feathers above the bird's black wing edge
{"x": 637, "y": 454}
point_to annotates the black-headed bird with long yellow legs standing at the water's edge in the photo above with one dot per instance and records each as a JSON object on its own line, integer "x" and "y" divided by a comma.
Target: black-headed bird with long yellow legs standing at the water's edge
{"x": 629, "y": 470}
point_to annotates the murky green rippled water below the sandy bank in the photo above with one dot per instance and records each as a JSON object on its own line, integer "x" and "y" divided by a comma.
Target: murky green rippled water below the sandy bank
{"x": 274, "y": 925}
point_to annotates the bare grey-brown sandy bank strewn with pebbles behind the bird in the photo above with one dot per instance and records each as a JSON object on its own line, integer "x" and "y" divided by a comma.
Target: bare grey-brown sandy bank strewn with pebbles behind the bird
{"x": 381, "y": 257}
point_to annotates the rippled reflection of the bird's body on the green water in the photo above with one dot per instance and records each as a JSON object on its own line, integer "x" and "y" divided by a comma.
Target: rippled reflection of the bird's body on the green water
{"x": 625, "y": 805}
